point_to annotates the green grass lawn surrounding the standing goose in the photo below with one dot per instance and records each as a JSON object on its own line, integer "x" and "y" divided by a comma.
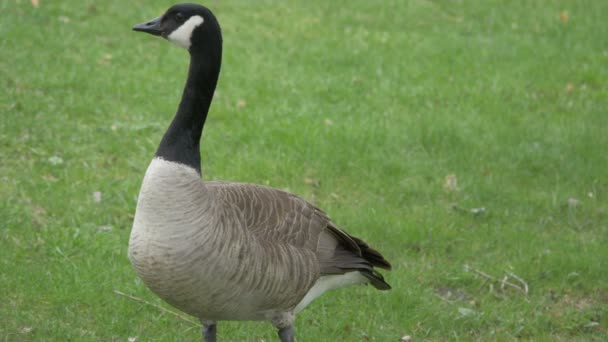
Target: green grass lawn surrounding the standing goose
{"x": 365, "y": 109}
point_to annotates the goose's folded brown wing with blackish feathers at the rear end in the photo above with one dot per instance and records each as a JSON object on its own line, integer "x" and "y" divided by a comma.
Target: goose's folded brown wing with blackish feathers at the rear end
{"x": 277, "y": 216}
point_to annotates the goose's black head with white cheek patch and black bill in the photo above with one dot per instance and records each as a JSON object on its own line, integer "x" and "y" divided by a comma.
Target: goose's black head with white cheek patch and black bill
{"x": 187, "y": 25}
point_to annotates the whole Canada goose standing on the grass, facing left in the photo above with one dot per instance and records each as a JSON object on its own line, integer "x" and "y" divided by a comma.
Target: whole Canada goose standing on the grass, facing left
{"x": 230, "y": 251}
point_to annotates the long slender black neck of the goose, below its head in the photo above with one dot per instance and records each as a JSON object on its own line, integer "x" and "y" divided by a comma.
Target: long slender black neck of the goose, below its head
{"x": 181, "y": 142}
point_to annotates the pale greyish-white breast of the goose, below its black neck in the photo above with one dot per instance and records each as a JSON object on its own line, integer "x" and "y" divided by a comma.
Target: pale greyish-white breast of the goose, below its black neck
{"x": 169, "y": 236}
